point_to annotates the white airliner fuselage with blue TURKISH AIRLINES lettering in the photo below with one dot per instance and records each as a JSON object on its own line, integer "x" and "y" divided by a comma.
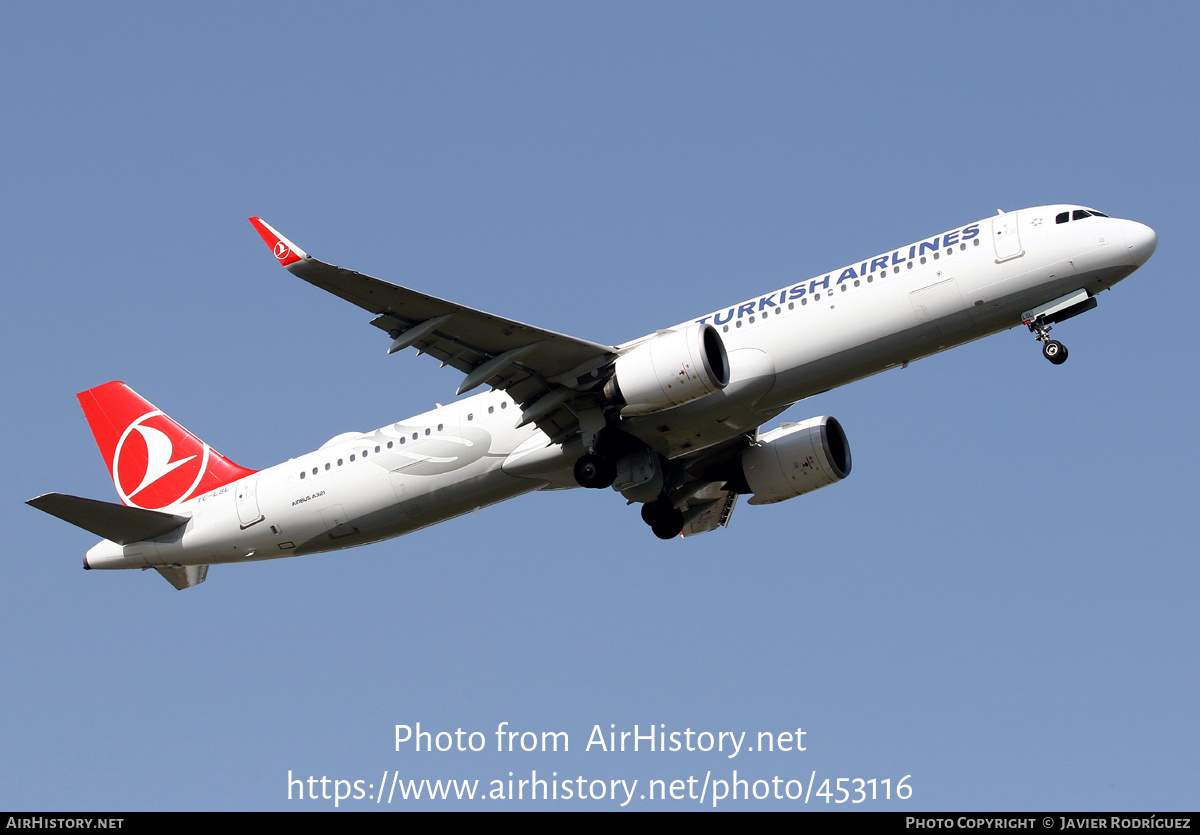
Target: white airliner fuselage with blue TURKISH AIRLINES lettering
{"x": 783, "y": 347}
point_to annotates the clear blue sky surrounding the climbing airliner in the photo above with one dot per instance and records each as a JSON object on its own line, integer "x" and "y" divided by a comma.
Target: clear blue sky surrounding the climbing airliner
{"x": 1000, "y": 602}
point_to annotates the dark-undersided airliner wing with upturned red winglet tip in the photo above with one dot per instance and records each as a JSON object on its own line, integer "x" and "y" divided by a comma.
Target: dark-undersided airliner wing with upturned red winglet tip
{"x": 545, "y": 373}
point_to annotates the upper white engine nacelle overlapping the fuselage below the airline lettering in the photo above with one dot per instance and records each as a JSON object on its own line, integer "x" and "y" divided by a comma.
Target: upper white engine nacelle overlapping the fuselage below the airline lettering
{"x": 669, "y": 370}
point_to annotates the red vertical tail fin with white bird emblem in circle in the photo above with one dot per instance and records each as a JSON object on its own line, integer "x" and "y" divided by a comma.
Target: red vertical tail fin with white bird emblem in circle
{"x": 154, "y": 461}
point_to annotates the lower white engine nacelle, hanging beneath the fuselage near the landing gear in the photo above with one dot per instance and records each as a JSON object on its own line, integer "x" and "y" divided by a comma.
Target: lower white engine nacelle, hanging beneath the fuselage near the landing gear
{"x": 796, "y": 459}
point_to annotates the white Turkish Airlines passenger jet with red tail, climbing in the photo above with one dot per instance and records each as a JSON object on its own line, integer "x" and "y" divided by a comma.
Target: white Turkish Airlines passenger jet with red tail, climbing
{"x": 673, "y": 420}
